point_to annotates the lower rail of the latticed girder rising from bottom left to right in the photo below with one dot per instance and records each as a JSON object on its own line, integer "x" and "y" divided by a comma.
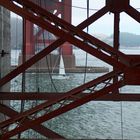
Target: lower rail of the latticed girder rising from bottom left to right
{"x": 62, "y": 110}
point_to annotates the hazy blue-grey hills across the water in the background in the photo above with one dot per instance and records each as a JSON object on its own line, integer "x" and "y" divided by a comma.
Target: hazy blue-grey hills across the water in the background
{"x": 126, "y": 39}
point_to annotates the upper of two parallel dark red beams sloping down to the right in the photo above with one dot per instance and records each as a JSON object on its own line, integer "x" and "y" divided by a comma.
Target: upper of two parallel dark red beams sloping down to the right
{"x": 75, "y": 31}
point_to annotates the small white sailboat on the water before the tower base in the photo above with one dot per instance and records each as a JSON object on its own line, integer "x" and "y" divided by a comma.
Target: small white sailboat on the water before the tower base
{"x": 62, "y": 73}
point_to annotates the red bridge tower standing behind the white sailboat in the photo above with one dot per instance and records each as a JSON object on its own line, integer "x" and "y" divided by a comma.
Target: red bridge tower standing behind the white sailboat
{"x": 66, "y": 48}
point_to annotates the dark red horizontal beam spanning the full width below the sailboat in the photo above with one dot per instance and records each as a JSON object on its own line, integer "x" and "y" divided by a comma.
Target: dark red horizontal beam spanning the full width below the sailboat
{"x": 51, "y": 96}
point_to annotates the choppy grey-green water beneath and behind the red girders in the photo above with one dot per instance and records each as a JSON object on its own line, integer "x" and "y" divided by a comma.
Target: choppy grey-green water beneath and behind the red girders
{"x": 94, "y": 120}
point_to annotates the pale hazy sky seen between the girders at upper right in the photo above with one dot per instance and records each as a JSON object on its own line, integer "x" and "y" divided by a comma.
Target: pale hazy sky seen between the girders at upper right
{"x": 105, "y": 24}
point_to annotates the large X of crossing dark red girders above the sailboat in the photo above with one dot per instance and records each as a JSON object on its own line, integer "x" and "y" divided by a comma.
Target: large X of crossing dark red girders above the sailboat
{"x": 102, "y": 51}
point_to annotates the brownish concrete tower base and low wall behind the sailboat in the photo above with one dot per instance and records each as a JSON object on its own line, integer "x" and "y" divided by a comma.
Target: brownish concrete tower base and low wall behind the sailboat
{"x": 52, "y": 61}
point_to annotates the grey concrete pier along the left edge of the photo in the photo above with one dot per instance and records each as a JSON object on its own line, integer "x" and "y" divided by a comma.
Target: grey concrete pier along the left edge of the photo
{"x": 5, "y": 50}
